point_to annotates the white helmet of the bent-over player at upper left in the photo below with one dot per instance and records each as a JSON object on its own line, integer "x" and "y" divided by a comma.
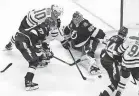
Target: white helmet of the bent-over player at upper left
{"x": 57, "y": 11}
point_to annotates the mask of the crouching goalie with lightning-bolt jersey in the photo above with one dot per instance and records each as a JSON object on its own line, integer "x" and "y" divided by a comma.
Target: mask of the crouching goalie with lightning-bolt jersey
{"x": 77, "y": 17}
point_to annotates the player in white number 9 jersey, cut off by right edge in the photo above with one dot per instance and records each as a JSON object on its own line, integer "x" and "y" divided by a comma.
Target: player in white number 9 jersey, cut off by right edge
{"x": 130, "y": 62}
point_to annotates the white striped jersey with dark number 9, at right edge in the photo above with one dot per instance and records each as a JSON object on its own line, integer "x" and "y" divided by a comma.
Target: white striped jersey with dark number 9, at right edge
{"x": 130, "y": 50}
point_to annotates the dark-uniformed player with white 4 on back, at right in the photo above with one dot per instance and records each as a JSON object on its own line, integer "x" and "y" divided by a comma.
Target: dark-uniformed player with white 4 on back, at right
{"x": 110, "y": 60}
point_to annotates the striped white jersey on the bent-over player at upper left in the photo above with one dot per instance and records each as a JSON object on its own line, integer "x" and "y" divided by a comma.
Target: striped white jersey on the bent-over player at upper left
{"x": 36, "y": 17}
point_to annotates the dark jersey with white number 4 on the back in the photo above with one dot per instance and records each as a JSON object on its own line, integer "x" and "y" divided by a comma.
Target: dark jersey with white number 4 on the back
{"x": 112, "y": 45}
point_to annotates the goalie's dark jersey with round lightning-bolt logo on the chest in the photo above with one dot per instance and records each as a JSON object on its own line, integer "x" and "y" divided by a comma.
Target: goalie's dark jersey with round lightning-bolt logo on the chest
{"x": 81, "y": 34}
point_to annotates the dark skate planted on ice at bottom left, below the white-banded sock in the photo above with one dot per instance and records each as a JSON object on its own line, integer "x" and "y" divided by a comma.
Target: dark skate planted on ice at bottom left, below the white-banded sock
{"x": 29, "y": 85}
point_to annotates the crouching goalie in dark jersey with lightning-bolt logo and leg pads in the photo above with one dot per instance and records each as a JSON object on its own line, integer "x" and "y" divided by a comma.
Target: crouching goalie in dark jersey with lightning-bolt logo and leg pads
{"x": 83, "y": 35}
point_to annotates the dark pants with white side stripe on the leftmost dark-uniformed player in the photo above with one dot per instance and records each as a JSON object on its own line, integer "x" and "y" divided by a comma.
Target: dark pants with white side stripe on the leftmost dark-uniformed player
{"x": 26, "y": 50}
